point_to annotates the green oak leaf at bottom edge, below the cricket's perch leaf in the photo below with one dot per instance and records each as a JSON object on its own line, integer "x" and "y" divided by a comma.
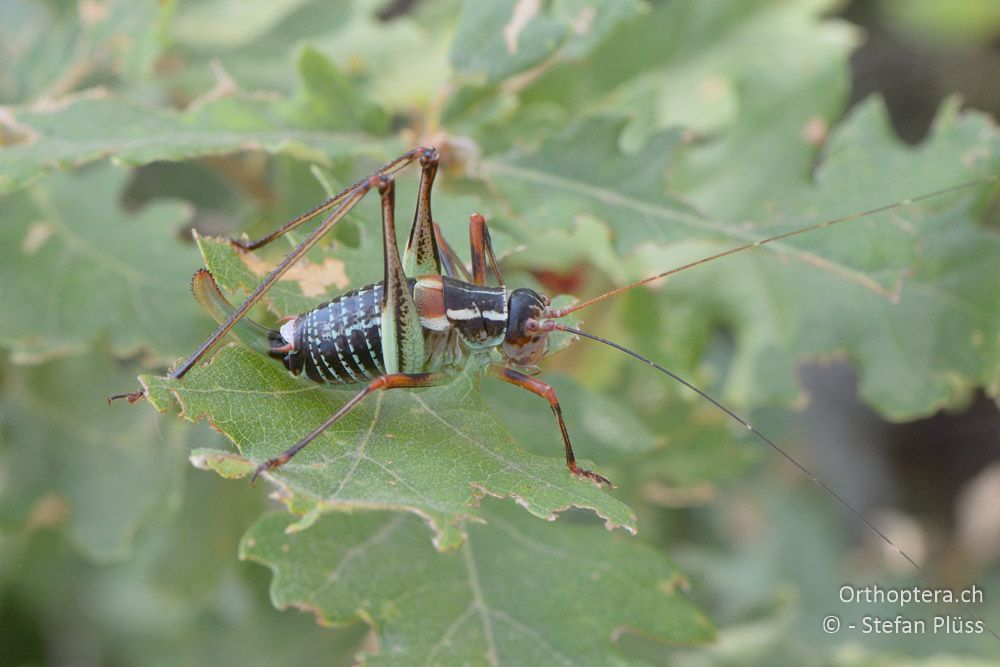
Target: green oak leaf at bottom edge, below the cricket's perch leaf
{"x": 518, "y": 591}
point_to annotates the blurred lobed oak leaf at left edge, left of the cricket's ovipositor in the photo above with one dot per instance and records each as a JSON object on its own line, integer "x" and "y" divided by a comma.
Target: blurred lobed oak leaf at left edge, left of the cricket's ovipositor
{"x": 74, "y": 266}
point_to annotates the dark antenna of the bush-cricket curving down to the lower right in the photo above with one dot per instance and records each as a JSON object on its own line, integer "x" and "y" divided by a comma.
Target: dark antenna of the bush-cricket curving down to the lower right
{"x": 550, "y": 325}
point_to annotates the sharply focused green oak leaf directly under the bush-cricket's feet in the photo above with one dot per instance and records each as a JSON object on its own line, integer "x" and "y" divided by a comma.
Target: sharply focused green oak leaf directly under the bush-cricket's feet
{"x": 433, "y": 452}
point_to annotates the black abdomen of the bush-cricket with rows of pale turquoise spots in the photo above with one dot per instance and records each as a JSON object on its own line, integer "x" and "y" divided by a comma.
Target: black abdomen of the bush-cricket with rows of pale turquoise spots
{"x": 340, "y": 342}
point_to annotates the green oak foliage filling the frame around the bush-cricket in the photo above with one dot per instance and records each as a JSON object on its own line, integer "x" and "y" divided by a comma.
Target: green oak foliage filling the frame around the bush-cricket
{"x": 604, "y": 141}
